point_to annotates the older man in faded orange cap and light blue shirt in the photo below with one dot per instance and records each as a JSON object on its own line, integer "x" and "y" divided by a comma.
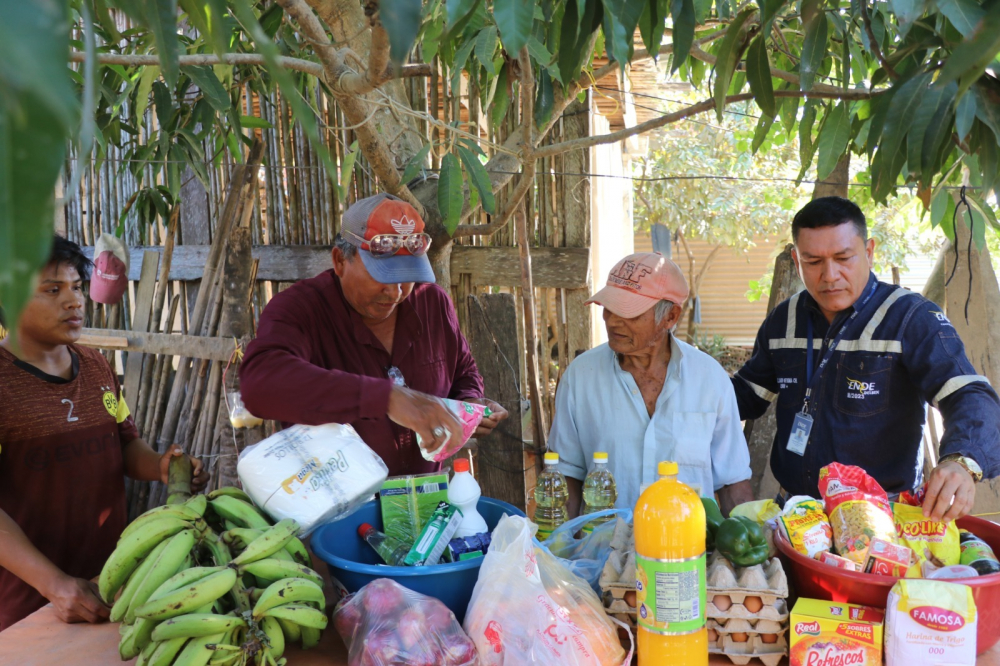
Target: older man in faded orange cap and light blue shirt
{"x": 645, "y": 396}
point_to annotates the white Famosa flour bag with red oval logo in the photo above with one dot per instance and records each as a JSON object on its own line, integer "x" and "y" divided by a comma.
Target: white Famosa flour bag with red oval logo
{"x": 930, "y": 622}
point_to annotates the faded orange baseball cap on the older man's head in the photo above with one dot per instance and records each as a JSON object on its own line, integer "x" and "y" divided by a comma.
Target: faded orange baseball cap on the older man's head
{"x": 640, "y": 281}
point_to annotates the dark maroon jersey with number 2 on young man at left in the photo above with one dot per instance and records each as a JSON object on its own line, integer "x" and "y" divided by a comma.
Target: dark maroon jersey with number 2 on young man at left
{"x": 61, "y": 468}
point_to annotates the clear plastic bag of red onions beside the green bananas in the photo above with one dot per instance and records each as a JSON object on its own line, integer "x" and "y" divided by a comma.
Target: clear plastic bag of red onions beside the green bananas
{"x": 385, "y": 624}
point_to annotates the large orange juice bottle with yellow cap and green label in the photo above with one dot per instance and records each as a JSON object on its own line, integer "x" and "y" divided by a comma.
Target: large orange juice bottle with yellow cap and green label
{"x": 670, "y": 573}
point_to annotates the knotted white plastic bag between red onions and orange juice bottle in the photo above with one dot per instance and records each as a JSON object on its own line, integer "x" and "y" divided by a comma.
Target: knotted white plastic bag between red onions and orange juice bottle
{"x": 528, "y": 608}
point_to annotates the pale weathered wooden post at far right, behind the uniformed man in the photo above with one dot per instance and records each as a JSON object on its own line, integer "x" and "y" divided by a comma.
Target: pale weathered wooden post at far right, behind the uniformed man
{"x": 979, "y": 331}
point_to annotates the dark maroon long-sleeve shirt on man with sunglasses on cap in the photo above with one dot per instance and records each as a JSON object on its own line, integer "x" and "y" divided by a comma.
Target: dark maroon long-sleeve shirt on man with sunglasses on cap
{"x": 314, "y": 361}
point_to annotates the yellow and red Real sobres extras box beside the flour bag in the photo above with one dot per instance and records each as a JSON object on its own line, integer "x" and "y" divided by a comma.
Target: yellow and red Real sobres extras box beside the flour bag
{"x": 824, "y": 633}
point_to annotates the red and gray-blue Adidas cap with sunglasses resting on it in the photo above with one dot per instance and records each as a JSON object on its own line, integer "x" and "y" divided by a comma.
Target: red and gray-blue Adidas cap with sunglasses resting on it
{"x": 386, "y": 214}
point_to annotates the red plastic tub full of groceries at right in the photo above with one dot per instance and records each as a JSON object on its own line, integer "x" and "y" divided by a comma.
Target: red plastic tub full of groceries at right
{"x": 815, "y": 580}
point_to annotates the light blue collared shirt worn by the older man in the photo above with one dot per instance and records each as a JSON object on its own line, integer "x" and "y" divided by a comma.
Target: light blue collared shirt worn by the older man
{"x": 695, "y": 423}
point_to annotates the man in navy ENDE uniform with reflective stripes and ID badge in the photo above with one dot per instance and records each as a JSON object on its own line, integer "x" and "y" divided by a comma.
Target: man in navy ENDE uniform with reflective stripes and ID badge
{"x": 852, "y": 361}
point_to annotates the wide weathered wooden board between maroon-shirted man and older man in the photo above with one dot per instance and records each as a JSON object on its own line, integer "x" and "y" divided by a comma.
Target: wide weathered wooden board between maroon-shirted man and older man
{"x": 494, "y": 342}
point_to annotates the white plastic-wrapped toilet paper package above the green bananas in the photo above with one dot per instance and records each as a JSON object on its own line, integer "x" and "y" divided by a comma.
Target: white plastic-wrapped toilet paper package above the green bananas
{"x": 313, "y": 474}
